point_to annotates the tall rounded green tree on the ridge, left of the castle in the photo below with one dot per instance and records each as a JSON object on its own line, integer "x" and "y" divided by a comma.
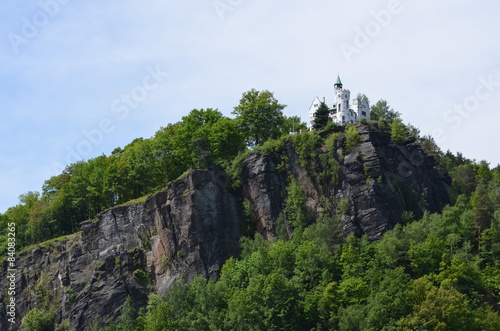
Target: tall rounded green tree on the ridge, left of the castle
{"x": 259, "y": 116}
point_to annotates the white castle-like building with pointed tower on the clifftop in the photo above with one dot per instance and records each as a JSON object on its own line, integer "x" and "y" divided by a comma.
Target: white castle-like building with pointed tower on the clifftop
{"x": 341, "y": 112}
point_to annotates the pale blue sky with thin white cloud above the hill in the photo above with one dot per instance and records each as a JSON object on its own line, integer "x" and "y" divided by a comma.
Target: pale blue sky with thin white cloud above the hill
{"x": 80, "y": 78}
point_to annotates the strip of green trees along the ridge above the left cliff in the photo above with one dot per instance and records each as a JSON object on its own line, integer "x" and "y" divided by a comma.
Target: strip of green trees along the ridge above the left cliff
{"x": 144, "y": 166}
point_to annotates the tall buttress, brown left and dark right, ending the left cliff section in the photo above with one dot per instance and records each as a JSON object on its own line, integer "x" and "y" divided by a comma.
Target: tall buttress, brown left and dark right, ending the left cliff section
{"x": 198, "y": 224}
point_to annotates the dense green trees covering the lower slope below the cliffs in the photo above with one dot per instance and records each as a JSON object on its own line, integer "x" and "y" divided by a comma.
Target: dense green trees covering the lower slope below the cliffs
{"x": 441, "y": 272}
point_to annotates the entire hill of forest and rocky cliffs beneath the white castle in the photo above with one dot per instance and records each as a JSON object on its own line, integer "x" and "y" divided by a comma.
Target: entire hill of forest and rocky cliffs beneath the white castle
{"x": 366, "y": 226}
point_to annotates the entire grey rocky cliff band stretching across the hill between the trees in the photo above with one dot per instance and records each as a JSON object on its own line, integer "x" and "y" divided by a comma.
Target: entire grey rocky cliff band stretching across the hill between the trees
{"x": 195, "y": 224}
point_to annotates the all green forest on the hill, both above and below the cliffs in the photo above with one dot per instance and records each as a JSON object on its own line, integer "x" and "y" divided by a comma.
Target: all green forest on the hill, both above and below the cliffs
{"x": 438, "y": 272}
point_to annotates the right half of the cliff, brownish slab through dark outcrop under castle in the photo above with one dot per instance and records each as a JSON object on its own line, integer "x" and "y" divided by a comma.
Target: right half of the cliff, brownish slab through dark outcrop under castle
{"x": 377, "y": 180}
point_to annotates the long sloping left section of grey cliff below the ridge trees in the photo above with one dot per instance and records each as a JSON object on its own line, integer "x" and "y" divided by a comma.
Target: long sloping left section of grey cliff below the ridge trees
{"x": 189, "y": 229}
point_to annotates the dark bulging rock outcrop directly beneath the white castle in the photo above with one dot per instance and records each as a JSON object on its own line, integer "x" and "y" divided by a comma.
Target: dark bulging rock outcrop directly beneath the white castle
{"x": 382, "y": 180}
